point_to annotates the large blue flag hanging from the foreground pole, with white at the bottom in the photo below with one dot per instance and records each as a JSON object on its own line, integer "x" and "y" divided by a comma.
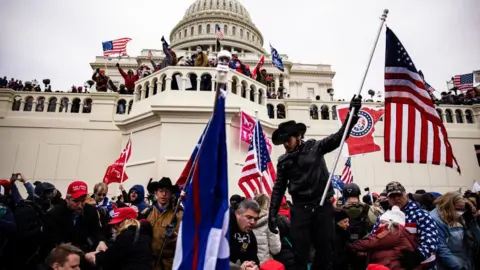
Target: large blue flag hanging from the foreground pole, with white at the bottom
{"x": 202, "y": 240}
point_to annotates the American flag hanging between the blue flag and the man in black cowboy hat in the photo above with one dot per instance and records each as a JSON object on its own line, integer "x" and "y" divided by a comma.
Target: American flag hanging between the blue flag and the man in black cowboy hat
{"x": 258, "y": 174}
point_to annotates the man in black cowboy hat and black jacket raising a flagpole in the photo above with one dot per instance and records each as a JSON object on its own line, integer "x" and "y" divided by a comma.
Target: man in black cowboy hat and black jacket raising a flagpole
{"x": 302, "y": 168}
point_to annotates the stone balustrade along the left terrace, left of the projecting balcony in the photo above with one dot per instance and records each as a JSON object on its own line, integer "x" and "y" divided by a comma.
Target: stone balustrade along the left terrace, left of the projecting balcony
{"x": 67, "y": 103}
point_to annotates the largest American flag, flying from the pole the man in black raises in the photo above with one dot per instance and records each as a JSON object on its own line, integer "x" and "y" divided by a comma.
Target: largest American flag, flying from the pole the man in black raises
{"x": 413, "y": 131}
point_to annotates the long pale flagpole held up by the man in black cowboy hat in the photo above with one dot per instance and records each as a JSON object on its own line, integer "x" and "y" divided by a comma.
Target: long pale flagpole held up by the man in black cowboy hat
{"x": 347, "y": 127}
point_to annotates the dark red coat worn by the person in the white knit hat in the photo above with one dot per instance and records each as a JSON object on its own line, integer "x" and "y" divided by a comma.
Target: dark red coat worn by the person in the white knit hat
{"x": 385, "y": 247}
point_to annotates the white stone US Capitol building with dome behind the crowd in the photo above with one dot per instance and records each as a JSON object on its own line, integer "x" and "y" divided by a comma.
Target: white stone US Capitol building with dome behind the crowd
{"x": 61, "y": 137}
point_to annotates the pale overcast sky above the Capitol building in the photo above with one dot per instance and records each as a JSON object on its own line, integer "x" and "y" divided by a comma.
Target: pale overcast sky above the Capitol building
{"x": 58, "y": 39}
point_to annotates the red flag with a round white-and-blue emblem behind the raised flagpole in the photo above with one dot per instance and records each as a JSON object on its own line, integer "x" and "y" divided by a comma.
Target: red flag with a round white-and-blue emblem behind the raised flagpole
{"x": 361, "y": 140}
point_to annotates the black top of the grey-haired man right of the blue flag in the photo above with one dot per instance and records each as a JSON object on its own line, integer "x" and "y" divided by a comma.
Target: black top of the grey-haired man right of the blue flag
{"x": 243, "y": 246}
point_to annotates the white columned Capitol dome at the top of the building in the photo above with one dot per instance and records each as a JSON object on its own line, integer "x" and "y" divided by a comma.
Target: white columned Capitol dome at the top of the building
{"x": 197, "y": 27}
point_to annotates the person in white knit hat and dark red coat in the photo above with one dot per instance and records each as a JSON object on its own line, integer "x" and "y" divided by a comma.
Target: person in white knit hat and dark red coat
{"x": 389, "y": 242}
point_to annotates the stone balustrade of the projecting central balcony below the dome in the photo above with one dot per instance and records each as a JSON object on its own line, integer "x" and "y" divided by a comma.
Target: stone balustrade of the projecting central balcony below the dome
{"x": 199, "y": 79}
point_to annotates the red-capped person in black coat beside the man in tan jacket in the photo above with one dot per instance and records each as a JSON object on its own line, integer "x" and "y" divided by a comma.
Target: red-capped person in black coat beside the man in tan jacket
{"x": 131, "y": 249}
